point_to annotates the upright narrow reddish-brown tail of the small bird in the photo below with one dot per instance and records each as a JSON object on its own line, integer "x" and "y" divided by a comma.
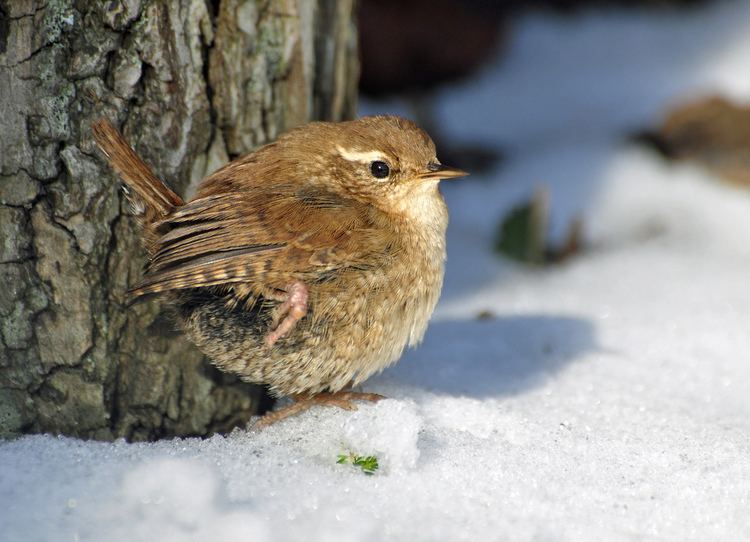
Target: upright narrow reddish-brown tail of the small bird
{"x": 157, "y": 199}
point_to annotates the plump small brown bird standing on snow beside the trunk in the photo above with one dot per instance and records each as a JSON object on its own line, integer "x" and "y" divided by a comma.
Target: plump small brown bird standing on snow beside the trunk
{"x": 307, "y": 265}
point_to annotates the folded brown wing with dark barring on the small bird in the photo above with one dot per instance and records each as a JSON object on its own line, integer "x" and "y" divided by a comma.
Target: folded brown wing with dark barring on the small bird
{"x": 267, "y": 239}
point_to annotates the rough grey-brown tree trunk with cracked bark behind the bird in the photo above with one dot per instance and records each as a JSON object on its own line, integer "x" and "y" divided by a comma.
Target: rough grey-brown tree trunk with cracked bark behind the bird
{"x": 190, "y": 83}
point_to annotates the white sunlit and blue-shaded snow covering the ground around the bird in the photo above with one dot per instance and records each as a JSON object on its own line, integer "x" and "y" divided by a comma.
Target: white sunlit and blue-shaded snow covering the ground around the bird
{"x": 607, "y": 397}
